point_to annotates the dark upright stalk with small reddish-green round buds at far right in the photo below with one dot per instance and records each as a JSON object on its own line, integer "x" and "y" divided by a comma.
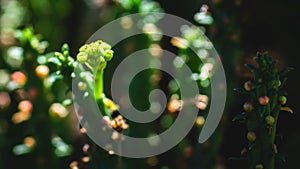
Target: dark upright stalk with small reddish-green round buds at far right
{"x": 261, "y": 112}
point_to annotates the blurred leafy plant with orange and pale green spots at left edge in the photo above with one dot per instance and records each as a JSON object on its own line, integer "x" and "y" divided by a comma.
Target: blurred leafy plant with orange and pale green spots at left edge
{"x": 25, "y": 93}
